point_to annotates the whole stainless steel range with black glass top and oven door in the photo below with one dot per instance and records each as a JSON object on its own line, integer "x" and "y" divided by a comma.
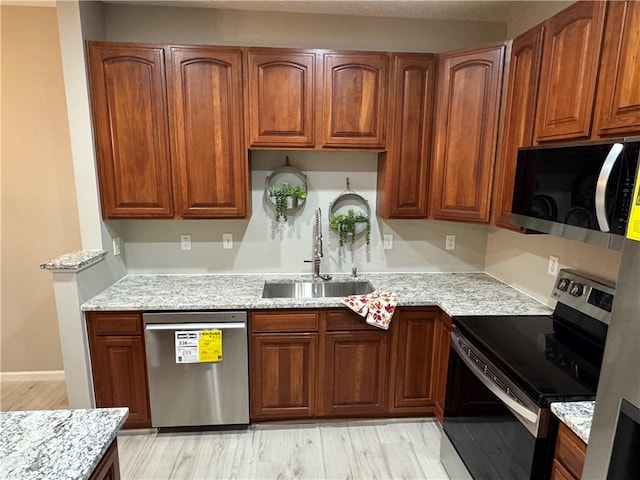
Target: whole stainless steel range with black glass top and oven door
{"x": 505, "y": 371}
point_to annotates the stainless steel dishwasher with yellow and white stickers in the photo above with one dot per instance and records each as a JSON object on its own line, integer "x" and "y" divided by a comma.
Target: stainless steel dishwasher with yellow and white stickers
{"x": 187, "y": 390}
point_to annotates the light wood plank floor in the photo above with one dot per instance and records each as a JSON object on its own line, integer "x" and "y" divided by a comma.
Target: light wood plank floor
{"x": 383, "y": 449}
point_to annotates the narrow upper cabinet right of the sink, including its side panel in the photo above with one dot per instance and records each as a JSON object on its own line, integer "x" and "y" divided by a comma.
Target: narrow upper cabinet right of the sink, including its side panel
{"x": 403, "y": 171}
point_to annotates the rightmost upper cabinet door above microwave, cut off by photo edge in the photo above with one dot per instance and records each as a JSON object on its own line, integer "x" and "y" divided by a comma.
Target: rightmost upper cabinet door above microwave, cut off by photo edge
{"x": 618, "y": 101}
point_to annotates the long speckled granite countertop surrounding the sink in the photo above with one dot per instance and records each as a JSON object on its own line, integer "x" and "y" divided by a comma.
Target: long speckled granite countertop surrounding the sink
{"x": 455, "y": 293}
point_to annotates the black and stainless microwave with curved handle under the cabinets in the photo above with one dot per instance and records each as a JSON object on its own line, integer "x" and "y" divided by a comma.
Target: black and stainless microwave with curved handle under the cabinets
{"x": 580, "y": 191}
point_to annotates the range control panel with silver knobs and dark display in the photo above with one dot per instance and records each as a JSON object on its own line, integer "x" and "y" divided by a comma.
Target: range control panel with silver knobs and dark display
{"x": 590, "y": 295}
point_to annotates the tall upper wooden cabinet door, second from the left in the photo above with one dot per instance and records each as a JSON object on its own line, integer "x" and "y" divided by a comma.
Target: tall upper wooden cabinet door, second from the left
{"x": 211, "y": 164}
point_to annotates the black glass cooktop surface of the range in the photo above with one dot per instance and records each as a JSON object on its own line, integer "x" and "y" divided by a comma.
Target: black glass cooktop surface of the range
{"x": 549, "y": 365}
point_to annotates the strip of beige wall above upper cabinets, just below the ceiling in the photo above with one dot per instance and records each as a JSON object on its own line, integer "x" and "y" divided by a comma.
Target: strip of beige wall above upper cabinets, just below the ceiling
{"x": 250, "y": 28}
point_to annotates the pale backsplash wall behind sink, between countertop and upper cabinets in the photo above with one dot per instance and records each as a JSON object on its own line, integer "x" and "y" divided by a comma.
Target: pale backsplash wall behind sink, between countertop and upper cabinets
{"x": 263, "y": 245}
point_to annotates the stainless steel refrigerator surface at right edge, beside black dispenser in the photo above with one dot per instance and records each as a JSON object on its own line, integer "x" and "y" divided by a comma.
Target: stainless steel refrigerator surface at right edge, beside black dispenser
{"x": 619, "y": 376}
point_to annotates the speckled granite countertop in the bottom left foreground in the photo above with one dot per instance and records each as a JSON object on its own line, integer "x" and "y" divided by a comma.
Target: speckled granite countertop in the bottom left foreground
{"x": 56, "y": 444}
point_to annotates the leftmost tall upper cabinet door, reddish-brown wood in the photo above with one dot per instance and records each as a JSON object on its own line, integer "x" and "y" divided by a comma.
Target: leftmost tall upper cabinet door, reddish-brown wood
{"x": 131, "y": 133}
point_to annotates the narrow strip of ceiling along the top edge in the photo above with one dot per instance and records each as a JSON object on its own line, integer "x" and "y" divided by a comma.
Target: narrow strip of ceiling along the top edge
{"x": 497, "y": 11}
